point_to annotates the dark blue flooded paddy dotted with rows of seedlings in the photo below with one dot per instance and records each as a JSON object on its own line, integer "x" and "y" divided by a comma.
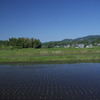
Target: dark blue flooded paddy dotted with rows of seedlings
{"x": 50, "y": 82}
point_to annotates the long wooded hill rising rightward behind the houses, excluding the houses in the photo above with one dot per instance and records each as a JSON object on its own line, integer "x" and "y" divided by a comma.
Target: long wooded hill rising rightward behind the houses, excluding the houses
{"x": 86, "y": 40}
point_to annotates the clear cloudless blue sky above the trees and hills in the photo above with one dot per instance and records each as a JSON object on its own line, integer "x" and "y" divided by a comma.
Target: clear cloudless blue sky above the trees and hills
{"x": 49, "y": 20}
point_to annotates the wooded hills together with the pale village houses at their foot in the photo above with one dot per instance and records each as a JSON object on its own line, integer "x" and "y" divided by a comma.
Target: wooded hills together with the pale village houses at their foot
{"x": 83, "y": 42}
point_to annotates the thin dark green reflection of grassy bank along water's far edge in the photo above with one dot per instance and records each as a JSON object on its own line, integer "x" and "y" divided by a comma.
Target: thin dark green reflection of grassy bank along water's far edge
{"x": 51, "y": 62}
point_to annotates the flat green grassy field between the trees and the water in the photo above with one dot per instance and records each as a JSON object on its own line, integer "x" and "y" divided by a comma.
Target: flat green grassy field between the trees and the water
{"x": 49, "y": 55}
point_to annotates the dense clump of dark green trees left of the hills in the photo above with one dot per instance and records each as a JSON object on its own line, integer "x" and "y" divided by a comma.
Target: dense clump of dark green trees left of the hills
{"x": 22, "y": 42}
